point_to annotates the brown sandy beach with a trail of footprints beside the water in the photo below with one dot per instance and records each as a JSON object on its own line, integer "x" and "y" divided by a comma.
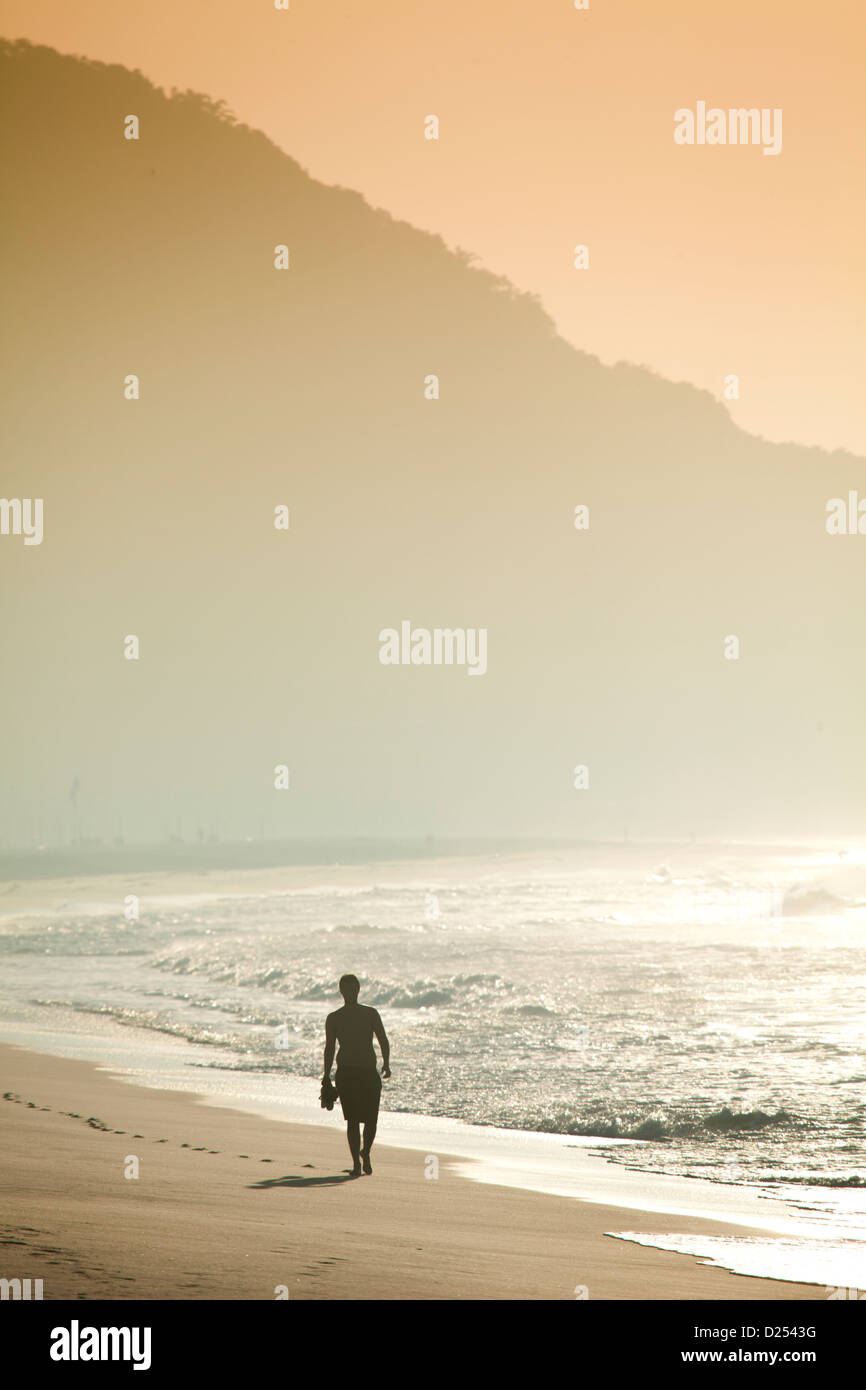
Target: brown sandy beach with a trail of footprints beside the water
{"x": 231, "y": 1206}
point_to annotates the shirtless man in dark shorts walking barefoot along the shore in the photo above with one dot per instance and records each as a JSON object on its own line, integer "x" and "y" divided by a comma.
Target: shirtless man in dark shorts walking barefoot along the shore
{"x": 358, "y": 1082}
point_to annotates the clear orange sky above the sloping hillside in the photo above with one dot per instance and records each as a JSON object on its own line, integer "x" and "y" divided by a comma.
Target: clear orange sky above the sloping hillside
{"x": 557, "y": 127}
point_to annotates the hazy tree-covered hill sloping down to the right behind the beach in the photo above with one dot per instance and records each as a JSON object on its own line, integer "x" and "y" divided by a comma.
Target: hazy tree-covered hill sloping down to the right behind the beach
{"x": 307, "y": 389}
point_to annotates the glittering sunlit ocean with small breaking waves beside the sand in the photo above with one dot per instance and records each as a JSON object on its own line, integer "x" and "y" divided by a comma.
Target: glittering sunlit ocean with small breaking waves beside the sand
{"x": 705, "y": 1004}
